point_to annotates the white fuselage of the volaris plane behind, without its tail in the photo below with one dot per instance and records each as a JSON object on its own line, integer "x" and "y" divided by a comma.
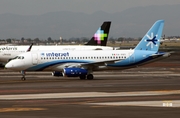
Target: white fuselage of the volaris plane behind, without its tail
{"x": 9, "y": 52}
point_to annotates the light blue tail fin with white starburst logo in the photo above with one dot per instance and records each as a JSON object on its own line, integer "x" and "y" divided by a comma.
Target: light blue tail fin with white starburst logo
{"x": 151, "y": 40}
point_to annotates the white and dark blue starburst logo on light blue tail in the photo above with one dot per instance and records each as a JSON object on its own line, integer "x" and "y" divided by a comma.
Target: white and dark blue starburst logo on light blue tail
{"x": 152, "y": 40}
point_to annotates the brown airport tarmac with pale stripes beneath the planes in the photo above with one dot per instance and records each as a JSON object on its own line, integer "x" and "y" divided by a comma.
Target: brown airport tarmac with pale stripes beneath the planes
{"x": 139, "y": 92}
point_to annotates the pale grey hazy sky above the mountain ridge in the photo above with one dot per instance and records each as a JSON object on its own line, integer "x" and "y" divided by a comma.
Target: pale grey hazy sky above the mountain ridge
{"x": 37, "y": 7}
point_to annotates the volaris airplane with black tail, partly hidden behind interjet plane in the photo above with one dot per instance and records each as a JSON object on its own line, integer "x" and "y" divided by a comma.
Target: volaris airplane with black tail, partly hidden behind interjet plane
{"x": 97, "y": 42}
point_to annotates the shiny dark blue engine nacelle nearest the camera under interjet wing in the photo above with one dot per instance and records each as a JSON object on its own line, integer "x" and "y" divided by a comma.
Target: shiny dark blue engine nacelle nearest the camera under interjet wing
{"x": 74, "y": 72}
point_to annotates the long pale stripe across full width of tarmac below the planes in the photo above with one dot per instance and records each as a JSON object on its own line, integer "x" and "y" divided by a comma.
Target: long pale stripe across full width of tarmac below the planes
{"x": 86, "y": 95}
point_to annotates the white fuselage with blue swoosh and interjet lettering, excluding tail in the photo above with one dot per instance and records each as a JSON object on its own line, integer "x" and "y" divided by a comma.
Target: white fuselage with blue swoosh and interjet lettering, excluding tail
{"x": 58, "y": 60}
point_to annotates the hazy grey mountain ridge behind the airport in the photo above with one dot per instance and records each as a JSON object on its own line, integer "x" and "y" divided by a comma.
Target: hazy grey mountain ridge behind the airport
{"x": 128, "y": 23}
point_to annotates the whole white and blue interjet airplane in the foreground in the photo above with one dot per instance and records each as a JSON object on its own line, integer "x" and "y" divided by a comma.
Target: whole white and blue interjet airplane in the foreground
{"x": 82, "y": 63}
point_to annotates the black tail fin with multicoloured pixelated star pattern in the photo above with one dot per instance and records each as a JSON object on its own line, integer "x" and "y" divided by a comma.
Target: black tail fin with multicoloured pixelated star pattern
{"x": 101, "y": 35}
